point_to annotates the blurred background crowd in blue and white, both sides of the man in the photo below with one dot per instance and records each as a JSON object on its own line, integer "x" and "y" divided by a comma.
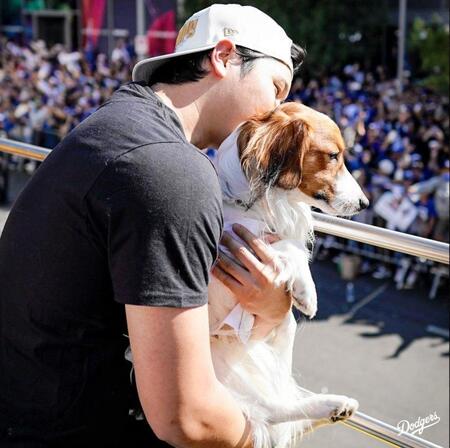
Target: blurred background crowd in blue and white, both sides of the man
{"x": 397, "y": 142}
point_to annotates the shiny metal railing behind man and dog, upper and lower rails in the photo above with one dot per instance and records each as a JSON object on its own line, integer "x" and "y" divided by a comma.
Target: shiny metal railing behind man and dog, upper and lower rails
{"x": 365, "y": 233}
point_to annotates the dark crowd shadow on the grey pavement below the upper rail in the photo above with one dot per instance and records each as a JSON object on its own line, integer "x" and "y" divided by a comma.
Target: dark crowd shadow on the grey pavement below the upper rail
{"x": 406, "y": 313}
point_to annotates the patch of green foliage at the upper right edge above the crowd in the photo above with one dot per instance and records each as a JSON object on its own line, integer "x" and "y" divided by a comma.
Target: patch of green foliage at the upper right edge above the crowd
{"x": 431, "y": 42}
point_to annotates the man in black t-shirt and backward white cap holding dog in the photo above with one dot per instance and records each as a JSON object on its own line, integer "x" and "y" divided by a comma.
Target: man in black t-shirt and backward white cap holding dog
{"x": 123, "y": 221}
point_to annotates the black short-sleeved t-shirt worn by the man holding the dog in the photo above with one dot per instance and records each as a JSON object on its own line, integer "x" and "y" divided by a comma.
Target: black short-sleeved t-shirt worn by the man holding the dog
{"x": 123, "y": 211}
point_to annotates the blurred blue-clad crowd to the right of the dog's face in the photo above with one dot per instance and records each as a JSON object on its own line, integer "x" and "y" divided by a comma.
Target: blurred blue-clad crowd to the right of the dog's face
{"x": 398, "y": 149}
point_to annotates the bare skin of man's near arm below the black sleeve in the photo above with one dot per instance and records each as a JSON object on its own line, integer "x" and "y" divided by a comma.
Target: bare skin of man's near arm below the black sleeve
{"x": 183, "y": 401}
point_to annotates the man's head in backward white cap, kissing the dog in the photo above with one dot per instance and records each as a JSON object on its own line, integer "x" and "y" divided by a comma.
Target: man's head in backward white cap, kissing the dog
{"x": 233, "y": 61}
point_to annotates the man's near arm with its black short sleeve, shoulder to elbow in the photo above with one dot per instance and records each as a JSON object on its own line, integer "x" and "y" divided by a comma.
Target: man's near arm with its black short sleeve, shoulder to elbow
{"x": 158, "y": 212}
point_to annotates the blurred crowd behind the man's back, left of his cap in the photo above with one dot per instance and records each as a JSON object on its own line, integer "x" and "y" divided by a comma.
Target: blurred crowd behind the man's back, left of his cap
{"x": 46, "y": 92}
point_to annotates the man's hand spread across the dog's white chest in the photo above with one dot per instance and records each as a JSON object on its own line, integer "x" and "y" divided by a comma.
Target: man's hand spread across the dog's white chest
{"x": 252, "y": 279}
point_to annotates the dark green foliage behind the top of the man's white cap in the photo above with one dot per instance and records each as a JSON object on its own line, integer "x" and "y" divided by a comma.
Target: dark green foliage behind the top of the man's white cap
{"x": 333, "y": 32}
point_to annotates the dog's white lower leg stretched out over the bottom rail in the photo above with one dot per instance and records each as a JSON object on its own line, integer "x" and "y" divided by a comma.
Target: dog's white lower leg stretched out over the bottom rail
{"x": 327, "y": 407}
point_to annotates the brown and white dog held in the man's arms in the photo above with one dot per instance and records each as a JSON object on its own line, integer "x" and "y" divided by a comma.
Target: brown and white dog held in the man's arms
{"x": 272, "y": 169}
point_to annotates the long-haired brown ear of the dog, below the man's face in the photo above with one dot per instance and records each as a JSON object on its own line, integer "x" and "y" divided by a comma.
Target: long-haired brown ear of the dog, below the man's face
{"x": 272, "y": 149}
